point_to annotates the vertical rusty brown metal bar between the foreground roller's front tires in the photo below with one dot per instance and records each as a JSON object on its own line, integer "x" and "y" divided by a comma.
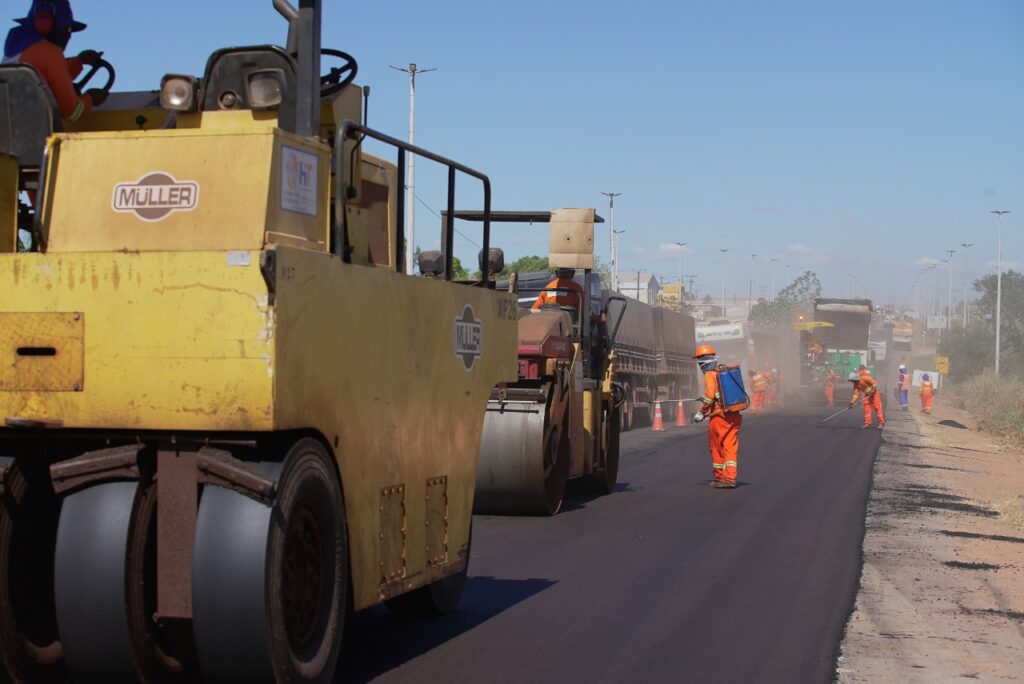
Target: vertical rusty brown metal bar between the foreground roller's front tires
{"x": 177, "y": 506}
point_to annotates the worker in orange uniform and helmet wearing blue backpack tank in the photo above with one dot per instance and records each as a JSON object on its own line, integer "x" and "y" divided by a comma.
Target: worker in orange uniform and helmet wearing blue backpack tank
{"x": 723, "y": 426}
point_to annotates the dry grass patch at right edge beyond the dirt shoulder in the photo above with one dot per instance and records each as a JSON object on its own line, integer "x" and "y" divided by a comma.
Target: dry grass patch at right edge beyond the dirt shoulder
{"x": 997, "y": 403}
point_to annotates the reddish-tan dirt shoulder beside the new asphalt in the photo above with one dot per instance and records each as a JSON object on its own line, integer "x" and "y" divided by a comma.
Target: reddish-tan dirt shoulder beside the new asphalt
{"x": 942, "y": 593}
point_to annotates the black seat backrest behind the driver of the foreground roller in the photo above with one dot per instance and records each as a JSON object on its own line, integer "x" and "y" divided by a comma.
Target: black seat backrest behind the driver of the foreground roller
{"x": 28, "y": 114}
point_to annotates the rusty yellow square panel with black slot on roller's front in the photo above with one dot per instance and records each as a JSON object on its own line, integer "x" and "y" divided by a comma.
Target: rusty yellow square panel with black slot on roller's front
{"x": 42, "y": 352}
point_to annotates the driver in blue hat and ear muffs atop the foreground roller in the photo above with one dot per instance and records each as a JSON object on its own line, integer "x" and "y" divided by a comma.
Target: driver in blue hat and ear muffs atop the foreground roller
{"x": 40, "y": 40}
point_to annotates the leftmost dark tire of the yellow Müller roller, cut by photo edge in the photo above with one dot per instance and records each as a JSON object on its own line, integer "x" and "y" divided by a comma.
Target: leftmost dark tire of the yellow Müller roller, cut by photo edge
{"x": 30, "y": 648}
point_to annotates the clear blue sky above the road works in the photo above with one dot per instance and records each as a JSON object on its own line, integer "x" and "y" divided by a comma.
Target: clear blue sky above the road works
{"x": 860, "y": 138}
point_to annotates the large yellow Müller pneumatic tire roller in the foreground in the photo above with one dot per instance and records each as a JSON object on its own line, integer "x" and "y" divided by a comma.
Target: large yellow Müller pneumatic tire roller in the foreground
{"x": 230, "y": 415}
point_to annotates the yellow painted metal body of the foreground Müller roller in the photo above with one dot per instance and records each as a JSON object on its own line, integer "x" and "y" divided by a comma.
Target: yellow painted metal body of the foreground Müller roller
{"x": 187, "y": 285}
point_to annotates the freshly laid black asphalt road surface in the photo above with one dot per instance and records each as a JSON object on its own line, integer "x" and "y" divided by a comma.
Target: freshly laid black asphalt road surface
{"x": 665, "y": 581}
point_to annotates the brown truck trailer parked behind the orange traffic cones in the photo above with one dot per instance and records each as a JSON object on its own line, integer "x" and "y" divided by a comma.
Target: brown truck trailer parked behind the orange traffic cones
{"x": 654, "y": 361}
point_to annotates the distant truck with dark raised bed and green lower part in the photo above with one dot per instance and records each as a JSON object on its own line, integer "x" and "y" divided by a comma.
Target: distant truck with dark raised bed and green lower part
{"x": 846, "y": 343}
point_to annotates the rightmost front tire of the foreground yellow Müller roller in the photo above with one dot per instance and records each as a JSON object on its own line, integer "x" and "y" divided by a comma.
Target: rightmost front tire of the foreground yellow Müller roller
{"x": 270, "y": 585}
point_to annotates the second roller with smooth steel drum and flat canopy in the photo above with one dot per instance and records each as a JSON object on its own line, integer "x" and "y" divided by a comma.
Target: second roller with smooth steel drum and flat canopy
{"x": 560, "y": 420}
